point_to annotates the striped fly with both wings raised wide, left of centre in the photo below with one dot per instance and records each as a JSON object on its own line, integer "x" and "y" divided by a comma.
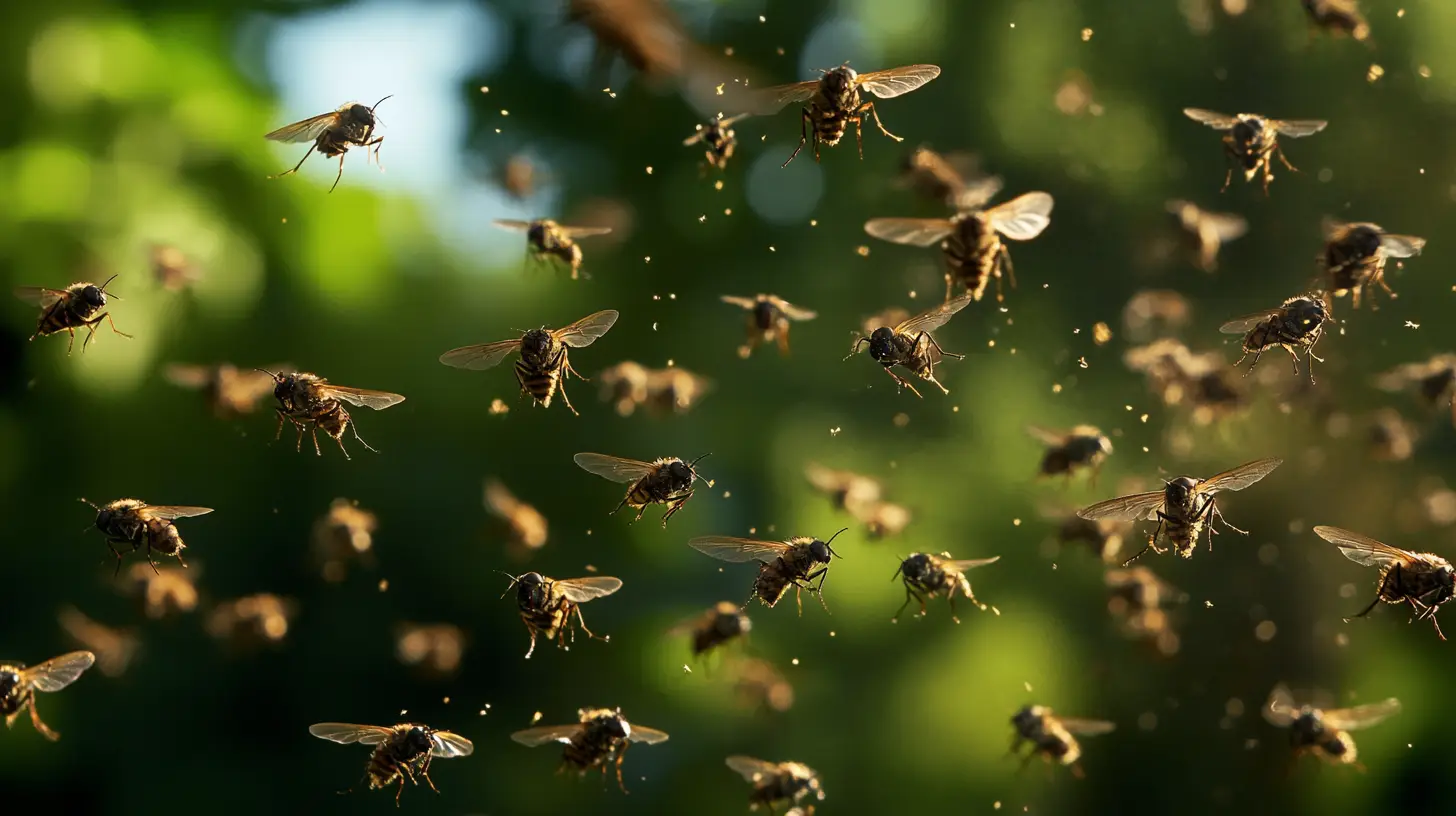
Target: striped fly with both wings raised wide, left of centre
{"x": 544, "y": 366}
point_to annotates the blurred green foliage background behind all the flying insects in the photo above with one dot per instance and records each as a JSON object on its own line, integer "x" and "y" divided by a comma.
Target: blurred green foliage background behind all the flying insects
{"x": 130, "y": 123}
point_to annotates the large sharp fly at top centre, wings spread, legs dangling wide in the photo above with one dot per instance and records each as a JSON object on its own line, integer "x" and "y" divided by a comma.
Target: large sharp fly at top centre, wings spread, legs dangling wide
{"x": 834, "y": 103}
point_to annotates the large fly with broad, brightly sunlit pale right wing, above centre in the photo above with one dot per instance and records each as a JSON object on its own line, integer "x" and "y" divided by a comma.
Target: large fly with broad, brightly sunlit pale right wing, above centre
{"x": 972, "y": 240}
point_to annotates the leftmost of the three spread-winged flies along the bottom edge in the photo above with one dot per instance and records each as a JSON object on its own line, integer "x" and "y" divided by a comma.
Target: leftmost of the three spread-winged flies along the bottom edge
{"x": 401, "y": 753}
